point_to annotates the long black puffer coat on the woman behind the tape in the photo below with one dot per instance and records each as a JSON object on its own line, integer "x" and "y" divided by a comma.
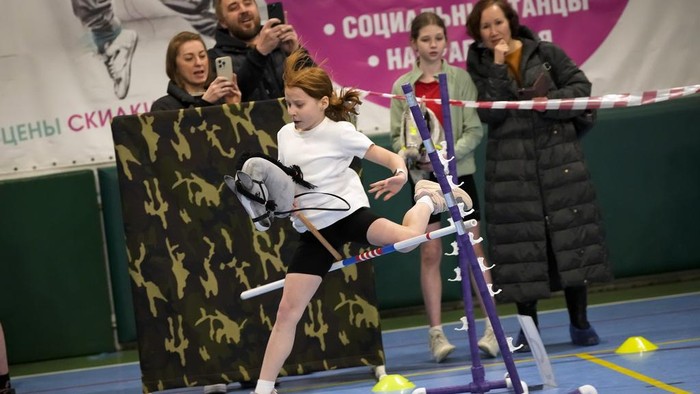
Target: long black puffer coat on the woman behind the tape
{"x": 540, "y": 202}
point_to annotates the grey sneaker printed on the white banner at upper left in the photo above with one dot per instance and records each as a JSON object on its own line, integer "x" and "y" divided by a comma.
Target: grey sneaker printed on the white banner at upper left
{"x": 118, "y": 55}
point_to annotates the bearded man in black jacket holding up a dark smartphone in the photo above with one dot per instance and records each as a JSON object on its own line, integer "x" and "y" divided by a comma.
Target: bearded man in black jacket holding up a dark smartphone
{"x": 258, "y": 50}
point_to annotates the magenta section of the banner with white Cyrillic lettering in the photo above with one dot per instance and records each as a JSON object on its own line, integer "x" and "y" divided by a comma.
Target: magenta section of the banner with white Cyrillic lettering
{"x": 366, "y": 44}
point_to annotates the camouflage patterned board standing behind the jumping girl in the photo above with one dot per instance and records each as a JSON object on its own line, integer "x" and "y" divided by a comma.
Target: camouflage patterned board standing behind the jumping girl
{"x": 192, "y": 250}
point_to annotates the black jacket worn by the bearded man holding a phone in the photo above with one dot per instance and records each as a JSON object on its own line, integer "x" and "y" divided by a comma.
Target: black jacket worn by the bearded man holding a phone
{"x": 259, "y": 76}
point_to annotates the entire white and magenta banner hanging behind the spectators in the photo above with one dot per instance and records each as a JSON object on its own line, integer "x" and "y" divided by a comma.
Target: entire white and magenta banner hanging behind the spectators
{"x": 56, "y": 114}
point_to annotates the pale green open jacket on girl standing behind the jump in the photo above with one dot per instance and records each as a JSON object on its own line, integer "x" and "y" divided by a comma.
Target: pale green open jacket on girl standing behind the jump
{"x": 466, "y": 126}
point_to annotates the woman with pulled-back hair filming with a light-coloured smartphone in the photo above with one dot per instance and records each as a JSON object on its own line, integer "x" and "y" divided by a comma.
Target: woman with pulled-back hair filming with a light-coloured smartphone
{"x": 187, "y": 66}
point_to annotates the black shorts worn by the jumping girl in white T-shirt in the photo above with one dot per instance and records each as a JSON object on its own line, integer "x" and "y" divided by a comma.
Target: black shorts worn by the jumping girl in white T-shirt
{"x": 312, "y": 258}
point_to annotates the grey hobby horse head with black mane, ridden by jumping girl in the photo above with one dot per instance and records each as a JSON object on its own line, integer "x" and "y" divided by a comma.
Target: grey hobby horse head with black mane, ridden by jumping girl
{"x": 265, "y": 188}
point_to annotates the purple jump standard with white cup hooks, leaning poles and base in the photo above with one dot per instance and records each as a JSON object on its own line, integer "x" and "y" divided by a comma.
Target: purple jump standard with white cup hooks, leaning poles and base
{"x": 467, "y": 261}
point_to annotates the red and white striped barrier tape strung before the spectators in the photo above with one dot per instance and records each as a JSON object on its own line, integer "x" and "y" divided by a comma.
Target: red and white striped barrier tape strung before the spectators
{"x": 606, "y": 101}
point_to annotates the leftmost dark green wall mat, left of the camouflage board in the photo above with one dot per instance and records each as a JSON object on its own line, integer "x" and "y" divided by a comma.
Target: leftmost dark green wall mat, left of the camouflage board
{"x": 53, "y": 281}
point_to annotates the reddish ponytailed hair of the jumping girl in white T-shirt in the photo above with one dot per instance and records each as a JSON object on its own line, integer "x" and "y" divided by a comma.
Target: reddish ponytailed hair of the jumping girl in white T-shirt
{"x": 301, "y": 72}
